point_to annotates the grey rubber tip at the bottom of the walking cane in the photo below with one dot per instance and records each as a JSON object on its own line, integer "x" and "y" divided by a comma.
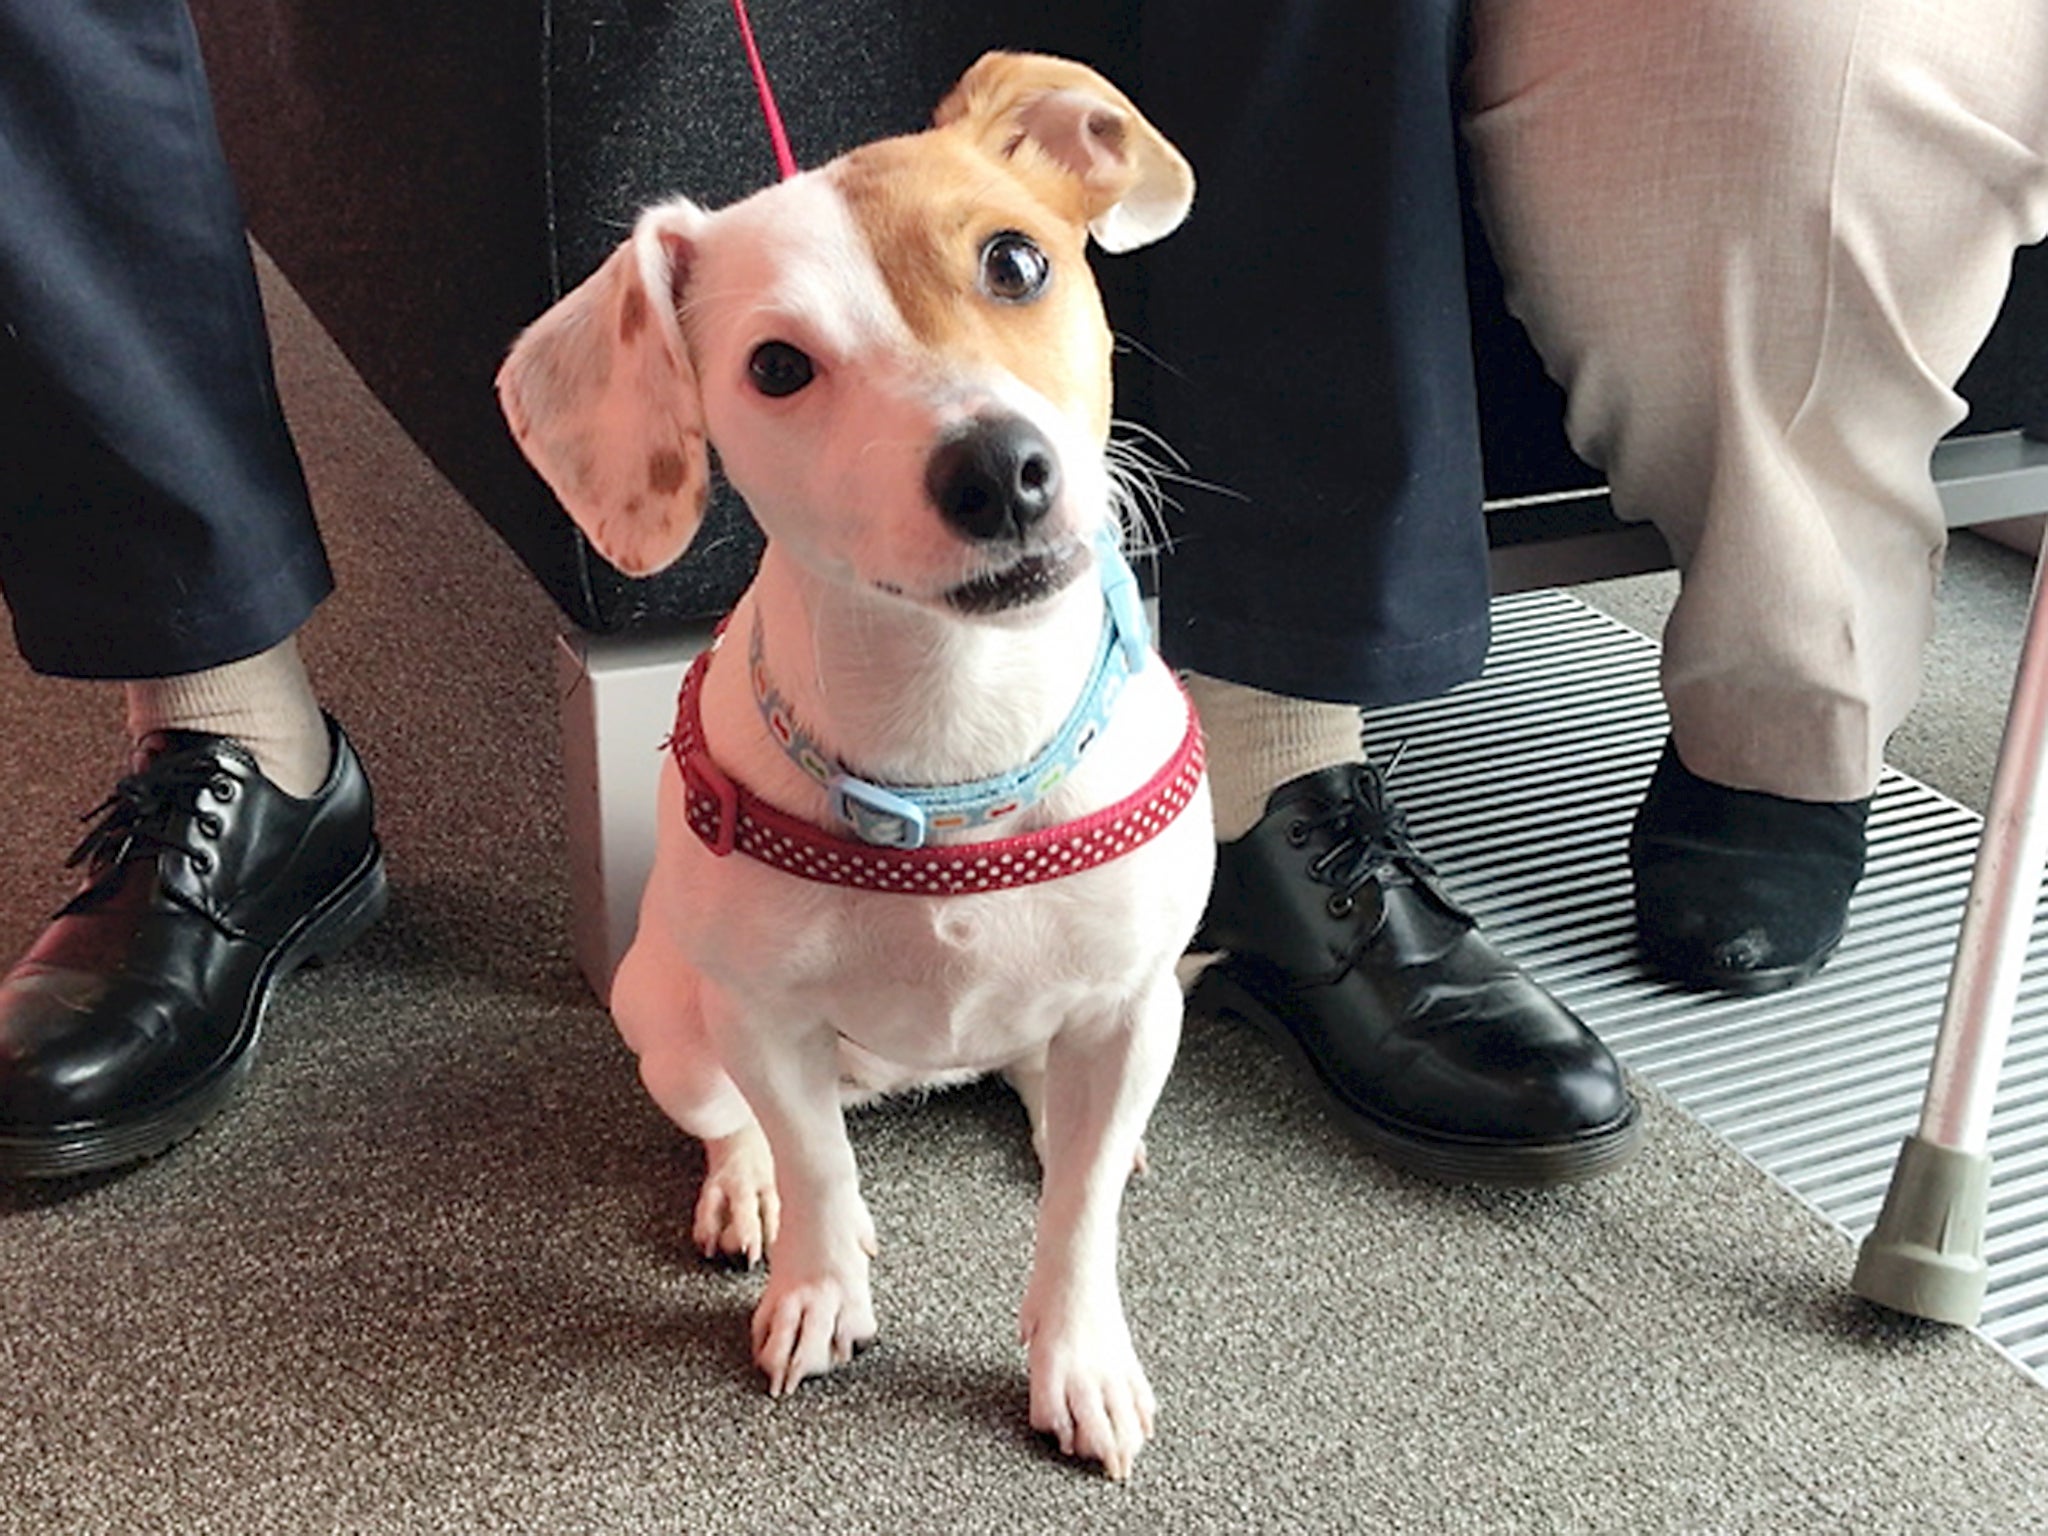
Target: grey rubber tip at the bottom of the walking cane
{"x": 1926, "y": 1256}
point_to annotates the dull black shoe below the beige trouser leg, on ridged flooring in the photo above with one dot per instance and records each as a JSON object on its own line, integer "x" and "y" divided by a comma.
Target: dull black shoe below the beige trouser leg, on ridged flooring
{"x": 1742, "y": 892}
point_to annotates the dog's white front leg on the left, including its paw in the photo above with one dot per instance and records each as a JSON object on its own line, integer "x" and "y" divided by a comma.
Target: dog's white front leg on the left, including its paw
{"x": 818, "y": 1308}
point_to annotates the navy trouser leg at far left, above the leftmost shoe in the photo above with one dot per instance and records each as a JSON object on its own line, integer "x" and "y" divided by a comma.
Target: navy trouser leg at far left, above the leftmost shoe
{"x": 153, "y": 509}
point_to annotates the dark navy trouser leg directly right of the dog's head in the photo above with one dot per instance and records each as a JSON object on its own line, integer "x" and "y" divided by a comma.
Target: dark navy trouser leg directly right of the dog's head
{"x": 1314, "y": 349}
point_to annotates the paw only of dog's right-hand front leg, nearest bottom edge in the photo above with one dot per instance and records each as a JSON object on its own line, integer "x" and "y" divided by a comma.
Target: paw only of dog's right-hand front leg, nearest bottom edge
{"x": 1089, "y": 1390}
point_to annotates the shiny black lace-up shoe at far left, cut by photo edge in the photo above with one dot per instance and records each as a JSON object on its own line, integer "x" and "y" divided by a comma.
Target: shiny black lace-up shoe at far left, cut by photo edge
{"x": 136, "y": 1015}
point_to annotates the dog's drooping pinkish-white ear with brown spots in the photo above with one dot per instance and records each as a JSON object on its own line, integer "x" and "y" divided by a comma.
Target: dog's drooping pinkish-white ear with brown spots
{"x": 603, "y": 398}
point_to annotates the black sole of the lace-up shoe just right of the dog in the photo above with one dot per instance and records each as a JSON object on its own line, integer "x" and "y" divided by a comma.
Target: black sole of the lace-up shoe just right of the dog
{"x": 1449, "y": 1160}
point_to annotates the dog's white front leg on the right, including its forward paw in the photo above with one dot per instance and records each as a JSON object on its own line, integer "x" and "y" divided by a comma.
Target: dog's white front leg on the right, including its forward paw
{"x": 1103, "y": 1080}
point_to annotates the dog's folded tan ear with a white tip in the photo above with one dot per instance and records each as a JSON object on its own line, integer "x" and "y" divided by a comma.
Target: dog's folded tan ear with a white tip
{"x": 1136, "y": 185}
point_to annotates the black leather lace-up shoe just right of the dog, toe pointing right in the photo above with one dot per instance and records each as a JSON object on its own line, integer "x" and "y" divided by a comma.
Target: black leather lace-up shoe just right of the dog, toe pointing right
{"x": 1435, "y": 1048}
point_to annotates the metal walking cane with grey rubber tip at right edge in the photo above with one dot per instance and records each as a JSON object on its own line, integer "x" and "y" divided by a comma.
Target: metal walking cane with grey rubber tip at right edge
{"x": 1926, "y": 1256}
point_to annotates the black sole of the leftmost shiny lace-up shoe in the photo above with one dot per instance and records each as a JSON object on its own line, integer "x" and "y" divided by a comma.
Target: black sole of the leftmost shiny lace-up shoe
{"x": 323, "y": 935}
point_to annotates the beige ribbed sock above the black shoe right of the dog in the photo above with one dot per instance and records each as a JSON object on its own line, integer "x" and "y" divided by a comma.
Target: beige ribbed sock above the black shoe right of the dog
{"x": 1258, "y": 742}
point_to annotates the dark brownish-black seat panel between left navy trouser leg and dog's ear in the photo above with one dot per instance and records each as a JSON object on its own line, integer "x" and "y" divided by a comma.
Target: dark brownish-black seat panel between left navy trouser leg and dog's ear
{"x": 390, "y": 163}
